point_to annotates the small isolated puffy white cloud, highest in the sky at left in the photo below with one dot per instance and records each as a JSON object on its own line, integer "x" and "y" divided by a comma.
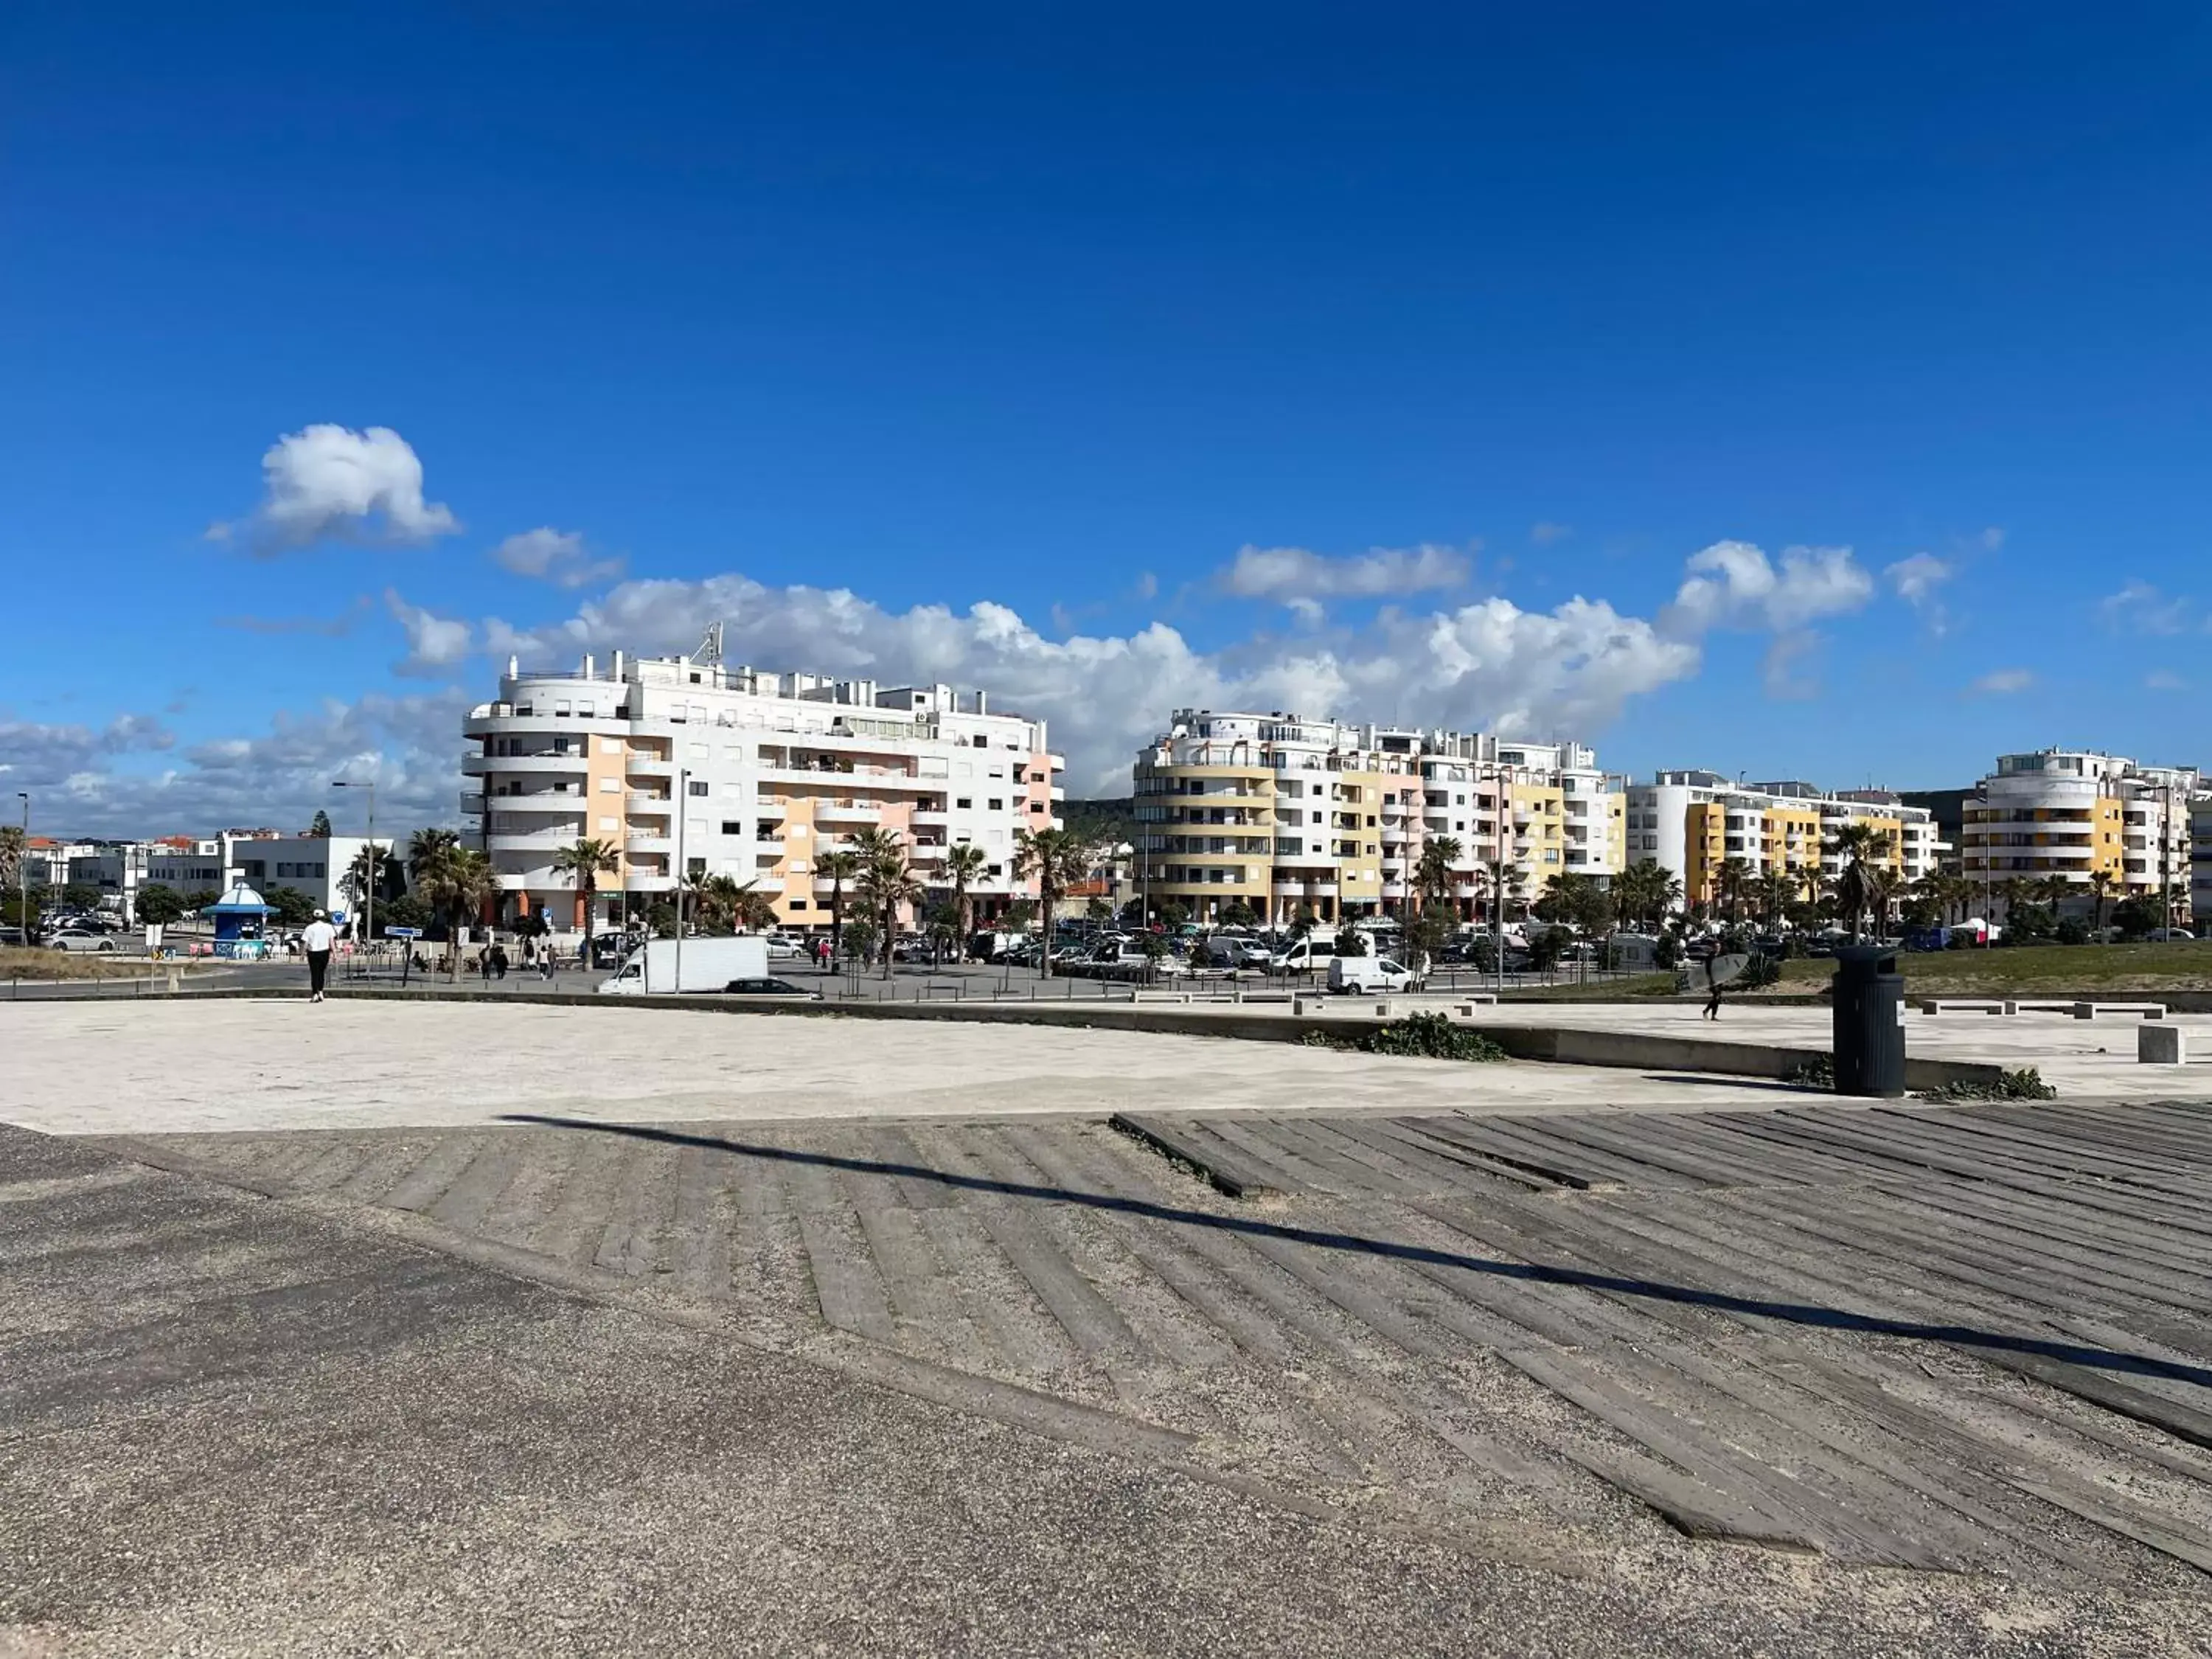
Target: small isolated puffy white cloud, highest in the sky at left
{"x": 335, "y": 481}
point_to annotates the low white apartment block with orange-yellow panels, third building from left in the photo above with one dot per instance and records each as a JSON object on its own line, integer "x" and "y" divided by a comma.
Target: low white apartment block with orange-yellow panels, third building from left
{"x": 1695, "y": 822}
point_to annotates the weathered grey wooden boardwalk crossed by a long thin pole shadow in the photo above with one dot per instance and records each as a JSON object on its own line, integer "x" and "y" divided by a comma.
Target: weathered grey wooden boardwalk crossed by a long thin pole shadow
{"x": 1968, "y": 1339}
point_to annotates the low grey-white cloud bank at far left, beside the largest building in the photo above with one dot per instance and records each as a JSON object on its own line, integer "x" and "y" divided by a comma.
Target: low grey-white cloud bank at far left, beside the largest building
{"x": 98, "y": 784}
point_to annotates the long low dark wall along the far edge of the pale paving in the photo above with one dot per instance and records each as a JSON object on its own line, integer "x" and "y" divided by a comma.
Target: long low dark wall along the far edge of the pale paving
{"x": 1556, "y": 1045}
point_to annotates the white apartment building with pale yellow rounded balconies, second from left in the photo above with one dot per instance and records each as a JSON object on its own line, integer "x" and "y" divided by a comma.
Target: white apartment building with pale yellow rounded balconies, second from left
{"x": 1282, "y": 815}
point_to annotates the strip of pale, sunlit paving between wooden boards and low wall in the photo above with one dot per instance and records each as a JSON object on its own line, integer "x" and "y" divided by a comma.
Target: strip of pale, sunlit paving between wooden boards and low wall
{"x": 87, "y": 1067}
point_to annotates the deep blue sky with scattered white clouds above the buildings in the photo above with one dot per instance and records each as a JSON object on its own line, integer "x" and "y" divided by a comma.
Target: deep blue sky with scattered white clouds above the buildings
{"x": 983, "y": 344}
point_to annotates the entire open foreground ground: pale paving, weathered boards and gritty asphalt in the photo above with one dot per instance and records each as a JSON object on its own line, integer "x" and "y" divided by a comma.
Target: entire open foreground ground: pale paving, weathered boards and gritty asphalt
{"x": 503, "y": 1328}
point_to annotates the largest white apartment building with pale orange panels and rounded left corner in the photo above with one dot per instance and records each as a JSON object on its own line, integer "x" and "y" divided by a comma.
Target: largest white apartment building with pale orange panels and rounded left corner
{"x": 691, "y": 766}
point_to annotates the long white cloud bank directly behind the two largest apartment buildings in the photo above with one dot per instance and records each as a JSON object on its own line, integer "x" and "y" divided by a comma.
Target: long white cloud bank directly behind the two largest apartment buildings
{"x": 1485, "y": 665}
